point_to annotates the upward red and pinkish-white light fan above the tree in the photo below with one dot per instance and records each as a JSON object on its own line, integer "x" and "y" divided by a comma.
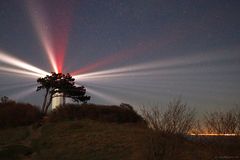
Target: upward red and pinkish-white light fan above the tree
{"x": 52, "y": 26}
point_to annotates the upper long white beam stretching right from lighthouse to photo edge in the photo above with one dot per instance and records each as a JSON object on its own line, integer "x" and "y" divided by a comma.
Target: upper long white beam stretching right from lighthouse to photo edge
{"x": 198, "y": 59}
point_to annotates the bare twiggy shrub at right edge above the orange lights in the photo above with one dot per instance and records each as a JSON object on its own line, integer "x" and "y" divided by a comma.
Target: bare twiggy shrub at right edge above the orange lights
{"x": 223, "y": 122}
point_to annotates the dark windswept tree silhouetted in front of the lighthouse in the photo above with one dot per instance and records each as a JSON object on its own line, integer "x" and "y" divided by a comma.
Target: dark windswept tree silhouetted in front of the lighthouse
{"x": 60, "y": 83}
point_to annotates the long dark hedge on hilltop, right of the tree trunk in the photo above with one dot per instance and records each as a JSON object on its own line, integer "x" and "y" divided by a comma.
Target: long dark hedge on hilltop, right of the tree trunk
{"x": 104, "y": 113}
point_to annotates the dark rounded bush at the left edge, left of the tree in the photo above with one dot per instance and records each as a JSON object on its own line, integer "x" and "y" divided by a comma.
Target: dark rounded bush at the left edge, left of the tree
{"x": 14, "y": 114}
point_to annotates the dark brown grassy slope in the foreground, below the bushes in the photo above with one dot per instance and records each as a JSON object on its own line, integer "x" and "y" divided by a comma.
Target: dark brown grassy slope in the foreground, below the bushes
{"x": 92, "y": 140}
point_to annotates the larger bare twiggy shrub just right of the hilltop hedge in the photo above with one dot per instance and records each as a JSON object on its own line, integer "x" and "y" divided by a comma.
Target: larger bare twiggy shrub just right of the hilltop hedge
{"x": 177, "y": 119}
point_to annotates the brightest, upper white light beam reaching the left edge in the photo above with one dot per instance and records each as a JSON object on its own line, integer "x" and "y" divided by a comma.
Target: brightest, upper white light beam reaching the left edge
{"x": 10, "y": 60}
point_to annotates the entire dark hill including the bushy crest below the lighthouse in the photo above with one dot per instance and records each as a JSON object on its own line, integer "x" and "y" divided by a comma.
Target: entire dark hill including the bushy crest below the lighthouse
{"x": 79, "y": 135}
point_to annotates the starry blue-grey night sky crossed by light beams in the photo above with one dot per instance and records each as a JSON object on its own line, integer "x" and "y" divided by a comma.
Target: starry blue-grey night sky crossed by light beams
{"x": 141, "y": 52}
